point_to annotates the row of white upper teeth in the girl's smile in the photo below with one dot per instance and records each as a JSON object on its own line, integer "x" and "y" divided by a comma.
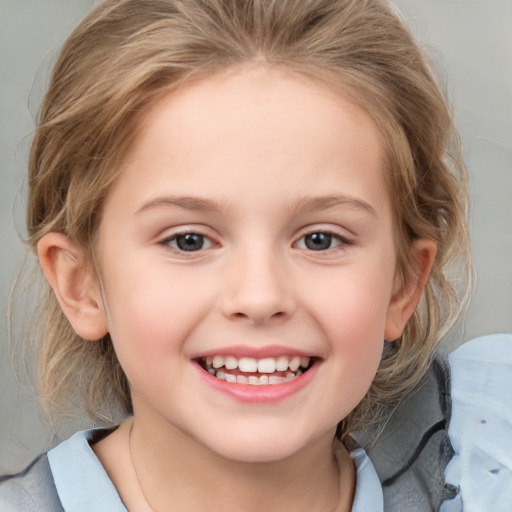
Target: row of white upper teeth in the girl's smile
{"x": 265, "y": 365}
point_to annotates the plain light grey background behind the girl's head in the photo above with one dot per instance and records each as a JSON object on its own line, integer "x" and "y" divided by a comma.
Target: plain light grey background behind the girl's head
{"x": 469, "y": 40}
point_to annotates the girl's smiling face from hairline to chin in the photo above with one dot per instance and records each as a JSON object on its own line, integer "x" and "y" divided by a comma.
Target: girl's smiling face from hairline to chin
{"x": 249, "y": 239}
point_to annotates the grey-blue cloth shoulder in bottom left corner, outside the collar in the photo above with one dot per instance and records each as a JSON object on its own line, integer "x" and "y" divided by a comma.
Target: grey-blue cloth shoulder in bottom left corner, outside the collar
{"x": 30, "y": 490}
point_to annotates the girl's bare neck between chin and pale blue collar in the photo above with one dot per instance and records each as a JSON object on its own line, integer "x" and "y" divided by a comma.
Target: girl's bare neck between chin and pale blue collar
{"x": 171, "y": 467}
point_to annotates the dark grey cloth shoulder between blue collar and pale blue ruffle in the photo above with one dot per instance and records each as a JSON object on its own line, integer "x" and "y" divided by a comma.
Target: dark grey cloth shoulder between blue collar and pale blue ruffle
{"x": 411, "y": 451}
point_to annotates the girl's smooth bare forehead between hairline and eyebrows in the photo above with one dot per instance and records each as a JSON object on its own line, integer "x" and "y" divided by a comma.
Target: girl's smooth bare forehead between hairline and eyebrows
{"x": 255, "y": 125}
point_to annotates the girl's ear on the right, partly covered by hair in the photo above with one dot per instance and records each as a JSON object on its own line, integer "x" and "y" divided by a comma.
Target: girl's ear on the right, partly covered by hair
{"x": 407, "y": 290}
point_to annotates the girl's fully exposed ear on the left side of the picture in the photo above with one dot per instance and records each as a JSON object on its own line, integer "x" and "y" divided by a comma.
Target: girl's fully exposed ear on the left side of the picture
{"x": 76, "y": 289}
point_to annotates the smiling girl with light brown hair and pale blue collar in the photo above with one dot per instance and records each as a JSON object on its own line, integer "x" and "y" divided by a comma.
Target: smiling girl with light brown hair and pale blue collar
{"x": 234, "y": 204}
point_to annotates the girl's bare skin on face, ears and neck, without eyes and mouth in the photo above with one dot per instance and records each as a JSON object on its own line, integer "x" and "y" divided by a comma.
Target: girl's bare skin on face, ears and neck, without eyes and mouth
{"x": 259, "y": 156}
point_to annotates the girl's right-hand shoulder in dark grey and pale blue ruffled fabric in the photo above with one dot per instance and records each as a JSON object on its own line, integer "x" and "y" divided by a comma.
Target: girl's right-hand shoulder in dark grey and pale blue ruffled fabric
{"x": 448, "y": 446}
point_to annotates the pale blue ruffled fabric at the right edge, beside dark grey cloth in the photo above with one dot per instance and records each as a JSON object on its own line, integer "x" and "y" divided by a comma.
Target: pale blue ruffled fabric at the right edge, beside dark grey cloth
{"x": 481, "y": 425}
